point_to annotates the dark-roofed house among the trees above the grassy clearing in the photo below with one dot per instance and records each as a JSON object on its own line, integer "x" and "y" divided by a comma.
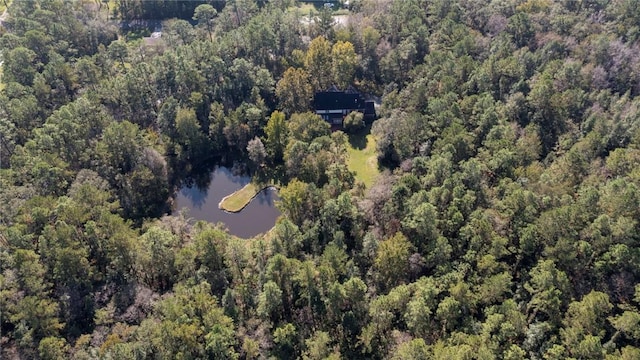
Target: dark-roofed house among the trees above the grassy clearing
{"x": 333, "y": 105}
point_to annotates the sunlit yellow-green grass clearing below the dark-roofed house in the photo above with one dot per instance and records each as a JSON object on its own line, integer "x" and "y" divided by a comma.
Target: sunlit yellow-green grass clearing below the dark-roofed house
{"x": 362, "y": 156}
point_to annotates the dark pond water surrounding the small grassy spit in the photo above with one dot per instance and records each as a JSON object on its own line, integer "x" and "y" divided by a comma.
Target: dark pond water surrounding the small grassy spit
{"x": 258, "y": 217}
